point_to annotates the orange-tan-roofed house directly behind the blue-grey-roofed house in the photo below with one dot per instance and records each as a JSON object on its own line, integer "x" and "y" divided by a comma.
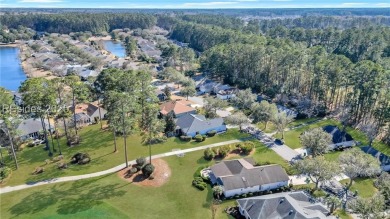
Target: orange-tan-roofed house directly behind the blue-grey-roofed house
{"x": 178, "y": 107}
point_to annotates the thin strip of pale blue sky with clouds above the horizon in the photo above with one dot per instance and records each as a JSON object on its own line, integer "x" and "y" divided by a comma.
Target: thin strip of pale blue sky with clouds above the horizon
{"x": 196, "y": 3}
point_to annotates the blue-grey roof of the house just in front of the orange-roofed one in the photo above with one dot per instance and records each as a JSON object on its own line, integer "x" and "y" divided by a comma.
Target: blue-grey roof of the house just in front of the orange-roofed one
{"x": 195, "y": 123}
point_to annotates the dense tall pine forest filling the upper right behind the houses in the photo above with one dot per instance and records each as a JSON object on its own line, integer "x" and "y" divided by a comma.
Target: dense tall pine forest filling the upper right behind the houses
{"x": 325, "y": 68}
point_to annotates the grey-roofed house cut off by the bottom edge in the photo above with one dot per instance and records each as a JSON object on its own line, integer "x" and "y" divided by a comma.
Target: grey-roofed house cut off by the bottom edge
{"x": 282, "y": 205}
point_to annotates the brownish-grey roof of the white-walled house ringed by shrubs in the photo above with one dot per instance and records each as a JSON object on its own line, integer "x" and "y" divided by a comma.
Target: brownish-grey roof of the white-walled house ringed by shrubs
{"x": 241, "y": 173}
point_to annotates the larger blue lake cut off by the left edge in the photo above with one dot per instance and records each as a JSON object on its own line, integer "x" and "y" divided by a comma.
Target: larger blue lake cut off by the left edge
{"x": 11, "y": 72}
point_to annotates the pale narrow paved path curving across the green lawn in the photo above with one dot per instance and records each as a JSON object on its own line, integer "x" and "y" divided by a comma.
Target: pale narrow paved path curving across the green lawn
{"x": 112, "y": 170}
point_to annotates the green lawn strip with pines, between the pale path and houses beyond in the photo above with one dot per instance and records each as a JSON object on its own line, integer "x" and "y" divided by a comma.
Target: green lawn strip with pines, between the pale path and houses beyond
{"x": 99, "y": 145}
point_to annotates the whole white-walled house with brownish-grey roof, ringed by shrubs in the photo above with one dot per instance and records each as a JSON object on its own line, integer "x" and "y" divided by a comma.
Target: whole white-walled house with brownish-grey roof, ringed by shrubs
{"x": 241, "y": 176}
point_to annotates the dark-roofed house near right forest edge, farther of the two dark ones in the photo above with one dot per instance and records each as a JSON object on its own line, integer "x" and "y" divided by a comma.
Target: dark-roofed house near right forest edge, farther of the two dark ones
{"x": 340, "y": 139}
